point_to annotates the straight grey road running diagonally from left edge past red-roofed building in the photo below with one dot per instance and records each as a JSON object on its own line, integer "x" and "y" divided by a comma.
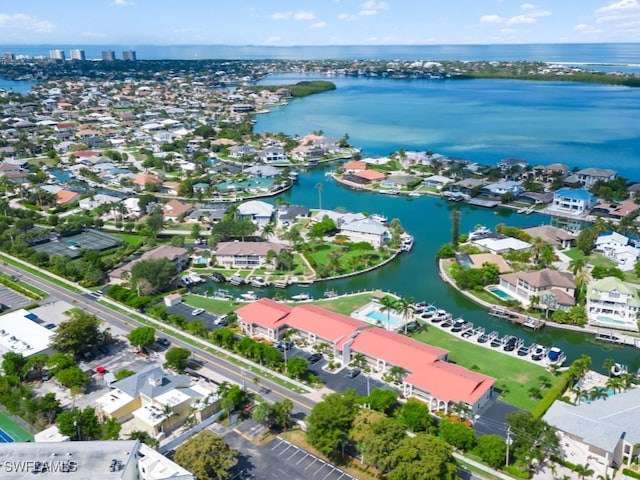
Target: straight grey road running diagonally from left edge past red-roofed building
{"x": 91, "y": 304}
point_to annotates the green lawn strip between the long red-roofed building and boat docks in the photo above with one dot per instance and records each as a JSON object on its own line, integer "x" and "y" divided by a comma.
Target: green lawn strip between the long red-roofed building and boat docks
{"x": 514, "y": 377}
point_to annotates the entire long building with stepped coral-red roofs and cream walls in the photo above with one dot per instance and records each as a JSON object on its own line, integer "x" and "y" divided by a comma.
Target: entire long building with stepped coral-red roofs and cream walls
{"x": 427, "y": 375}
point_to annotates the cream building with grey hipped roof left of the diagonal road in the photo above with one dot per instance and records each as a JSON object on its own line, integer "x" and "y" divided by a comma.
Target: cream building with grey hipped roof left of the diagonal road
{"x": 156, "y": 400}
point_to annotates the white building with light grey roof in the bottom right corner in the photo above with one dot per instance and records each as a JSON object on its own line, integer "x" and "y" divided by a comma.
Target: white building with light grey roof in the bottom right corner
{"x": 606, "y": 431}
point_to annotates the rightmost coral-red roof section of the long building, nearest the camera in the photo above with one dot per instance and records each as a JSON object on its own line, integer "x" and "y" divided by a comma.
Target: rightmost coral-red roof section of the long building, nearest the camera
{"x": 450, "y": 382}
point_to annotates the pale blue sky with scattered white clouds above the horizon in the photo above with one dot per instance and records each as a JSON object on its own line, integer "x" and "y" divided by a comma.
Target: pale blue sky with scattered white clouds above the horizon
{"x": 317, "y": 22}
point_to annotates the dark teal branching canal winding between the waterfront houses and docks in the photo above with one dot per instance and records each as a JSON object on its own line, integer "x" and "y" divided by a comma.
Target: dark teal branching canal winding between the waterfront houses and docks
{"x": 416, "y": 274}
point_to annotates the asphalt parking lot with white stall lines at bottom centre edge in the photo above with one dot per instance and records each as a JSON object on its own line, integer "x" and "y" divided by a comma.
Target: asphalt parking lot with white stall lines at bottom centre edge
{"x": 279, "y": 460}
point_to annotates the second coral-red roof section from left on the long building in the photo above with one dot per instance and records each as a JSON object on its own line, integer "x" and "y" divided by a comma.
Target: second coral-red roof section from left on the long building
{"x": 329, "y": 326}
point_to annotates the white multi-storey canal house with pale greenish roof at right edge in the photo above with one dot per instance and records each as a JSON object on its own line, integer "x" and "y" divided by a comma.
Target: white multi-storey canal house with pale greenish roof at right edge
{"x": 612, "y": 303}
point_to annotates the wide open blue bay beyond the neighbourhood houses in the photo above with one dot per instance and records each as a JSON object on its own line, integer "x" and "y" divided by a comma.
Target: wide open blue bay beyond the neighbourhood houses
{"x": 581, "y": 125}
